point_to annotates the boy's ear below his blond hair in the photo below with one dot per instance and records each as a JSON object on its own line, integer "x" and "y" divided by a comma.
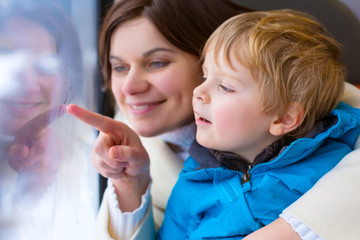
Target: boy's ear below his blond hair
{"x": 292, "y": 119}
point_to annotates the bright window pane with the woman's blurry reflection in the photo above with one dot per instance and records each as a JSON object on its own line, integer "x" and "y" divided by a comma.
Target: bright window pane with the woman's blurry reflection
{"x": 45, "y": 192}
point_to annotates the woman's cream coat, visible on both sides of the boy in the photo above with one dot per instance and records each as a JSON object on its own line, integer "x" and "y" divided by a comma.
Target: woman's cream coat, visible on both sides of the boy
{"x": 328, "y": 208}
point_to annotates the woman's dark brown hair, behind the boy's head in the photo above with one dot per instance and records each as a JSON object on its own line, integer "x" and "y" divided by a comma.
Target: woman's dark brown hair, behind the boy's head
{"x": 186, "y": 24}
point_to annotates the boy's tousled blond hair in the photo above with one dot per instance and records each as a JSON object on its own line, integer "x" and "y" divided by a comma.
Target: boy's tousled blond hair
{"x": 290, "y": 55}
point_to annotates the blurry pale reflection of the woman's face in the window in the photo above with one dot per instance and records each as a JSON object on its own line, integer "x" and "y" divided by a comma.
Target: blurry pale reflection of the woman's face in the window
{"x": 30, "y": 81}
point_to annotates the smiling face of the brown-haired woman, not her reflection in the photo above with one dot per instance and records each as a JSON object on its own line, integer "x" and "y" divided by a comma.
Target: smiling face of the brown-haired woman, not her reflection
{"x": 151, "y": 79}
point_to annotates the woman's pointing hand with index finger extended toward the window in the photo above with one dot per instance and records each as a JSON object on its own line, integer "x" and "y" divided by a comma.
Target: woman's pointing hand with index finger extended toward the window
{"x": 118, "y": 154}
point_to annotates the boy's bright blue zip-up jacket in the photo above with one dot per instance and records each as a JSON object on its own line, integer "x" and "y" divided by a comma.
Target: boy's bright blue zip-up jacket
{"x": 216, "y": 203}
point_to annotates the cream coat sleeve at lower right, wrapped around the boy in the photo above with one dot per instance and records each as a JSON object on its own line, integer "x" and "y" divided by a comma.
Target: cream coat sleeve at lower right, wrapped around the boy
{"x": 331, "y": 208}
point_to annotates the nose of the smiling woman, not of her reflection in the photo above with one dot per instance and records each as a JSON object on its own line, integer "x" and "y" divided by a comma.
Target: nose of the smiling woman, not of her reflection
{"x": 135, "y": 82}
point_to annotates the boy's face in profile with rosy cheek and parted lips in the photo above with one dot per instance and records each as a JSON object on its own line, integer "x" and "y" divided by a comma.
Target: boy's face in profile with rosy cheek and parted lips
{"x": 228, "y": 111}
